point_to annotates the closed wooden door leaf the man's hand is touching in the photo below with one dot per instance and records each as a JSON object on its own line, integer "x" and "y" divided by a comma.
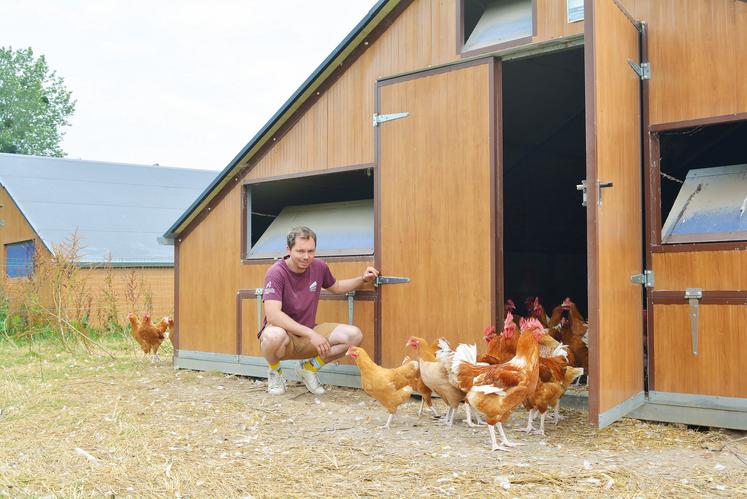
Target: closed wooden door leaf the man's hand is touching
{"x": 435, "y": 207}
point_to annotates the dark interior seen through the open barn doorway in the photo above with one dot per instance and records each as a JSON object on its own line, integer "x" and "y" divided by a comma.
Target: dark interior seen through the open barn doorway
{"x": 544, "y": 158}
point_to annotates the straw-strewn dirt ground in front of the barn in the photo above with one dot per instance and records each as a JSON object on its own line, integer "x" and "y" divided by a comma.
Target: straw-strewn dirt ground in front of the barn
{"x": 76, "y": 425}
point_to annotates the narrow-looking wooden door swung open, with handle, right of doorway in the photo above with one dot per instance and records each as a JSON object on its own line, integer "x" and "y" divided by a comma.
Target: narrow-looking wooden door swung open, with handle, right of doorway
{"x": 615, "y": 237}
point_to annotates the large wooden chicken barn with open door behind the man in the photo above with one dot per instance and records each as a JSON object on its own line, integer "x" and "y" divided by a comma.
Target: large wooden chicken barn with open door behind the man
{"x": 488, "y": 149}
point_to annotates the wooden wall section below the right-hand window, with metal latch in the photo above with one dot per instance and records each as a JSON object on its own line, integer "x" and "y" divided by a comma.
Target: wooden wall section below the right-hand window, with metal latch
{"x": 717, "y": 369}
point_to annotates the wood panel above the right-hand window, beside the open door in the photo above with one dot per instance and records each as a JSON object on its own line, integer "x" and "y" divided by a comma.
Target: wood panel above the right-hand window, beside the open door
{"x": 692, "y": 49}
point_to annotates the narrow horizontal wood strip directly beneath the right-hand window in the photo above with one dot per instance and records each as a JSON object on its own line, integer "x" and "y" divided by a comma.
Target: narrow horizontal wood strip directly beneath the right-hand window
{"x": 710, "y": 270}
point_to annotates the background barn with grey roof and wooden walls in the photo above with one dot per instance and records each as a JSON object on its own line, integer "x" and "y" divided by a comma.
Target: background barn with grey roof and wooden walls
{"x": 118, "y": 211}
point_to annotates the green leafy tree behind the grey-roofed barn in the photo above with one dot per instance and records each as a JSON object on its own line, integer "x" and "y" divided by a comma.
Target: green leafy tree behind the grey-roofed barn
{"x": 34, "y": 104}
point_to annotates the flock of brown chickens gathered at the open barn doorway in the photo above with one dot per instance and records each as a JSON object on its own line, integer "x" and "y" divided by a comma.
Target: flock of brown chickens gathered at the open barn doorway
{"x": 531, "y": 363}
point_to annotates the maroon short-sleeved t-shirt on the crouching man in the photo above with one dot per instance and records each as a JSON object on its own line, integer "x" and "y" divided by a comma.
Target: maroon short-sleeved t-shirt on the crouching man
{"x": 299, "y": 293}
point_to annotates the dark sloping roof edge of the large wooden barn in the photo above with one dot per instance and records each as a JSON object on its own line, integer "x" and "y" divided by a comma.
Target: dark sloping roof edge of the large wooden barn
{"x": 377, "y": 14}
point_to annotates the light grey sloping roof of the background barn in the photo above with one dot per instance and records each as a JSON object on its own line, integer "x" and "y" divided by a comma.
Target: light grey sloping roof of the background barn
{"x": 117, "y": 208}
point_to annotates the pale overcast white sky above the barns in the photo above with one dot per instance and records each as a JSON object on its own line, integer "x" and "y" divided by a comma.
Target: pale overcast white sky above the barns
{"x": 183, "y": 83}
